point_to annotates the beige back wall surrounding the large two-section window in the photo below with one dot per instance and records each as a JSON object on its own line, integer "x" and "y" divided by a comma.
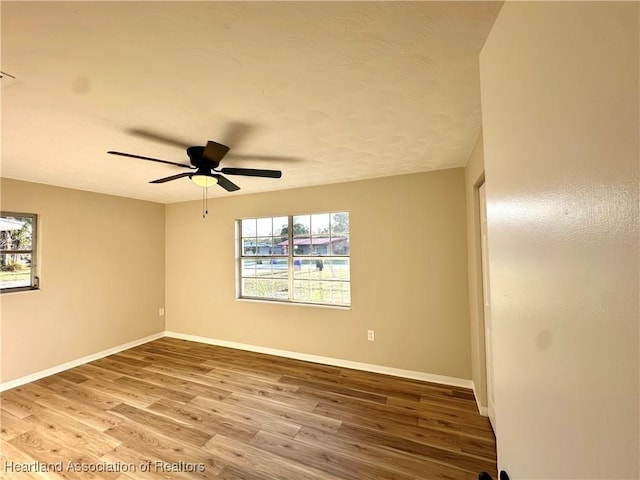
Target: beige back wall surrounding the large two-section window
{"x": 409, "y": 274}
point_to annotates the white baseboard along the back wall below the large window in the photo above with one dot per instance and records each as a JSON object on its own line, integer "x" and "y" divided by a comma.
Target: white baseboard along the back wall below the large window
{"x": 336, "y": 362}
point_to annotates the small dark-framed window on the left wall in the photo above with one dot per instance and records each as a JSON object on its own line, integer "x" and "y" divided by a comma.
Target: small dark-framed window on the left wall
{"x": 18, "y": 252}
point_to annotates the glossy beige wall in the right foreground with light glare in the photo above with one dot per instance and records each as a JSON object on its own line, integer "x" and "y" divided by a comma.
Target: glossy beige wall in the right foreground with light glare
{"x": 559, "y": 85}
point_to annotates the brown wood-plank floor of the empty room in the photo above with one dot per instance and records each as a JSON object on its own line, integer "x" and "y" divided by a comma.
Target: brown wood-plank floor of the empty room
{"x": 177, "y": 409}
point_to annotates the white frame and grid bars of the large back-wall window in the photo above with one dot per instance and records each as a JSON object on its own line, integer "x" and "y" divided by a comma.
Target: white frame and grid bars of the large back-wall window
{"x": 290, "y": 257}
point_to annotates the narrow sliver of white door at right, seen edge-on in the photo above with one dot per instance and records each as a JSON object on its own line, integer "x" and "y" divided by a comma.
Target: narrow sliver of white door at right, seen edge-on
{"x": 488, "y": 331}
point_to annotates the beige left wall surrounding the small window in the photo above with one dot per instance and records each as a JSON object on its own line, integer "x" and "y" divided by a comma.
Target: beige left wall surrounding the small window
{"x": 102, "y": 277}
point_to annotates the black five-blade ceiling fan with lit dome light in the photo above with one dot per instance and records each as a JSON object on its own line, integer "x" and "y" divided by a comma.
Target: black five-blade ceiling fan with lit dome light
{"x": 205, "y": 162}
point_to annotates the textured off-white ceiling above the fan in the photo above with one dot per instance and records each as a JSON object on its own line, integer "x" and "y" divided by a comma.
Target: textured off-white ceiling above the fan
{"x": 325, "y": 91}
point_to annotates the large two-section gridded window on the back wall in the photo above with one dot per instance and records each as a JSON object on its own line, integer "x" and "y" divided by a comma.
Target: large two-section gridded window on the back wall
{"x": 299, "y": 258}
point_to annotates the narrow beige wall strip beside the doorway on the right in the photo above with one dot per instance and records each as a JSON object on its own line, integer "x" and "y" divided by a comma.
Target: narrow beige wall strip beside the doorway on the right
{"x": 474, "y": 177}
